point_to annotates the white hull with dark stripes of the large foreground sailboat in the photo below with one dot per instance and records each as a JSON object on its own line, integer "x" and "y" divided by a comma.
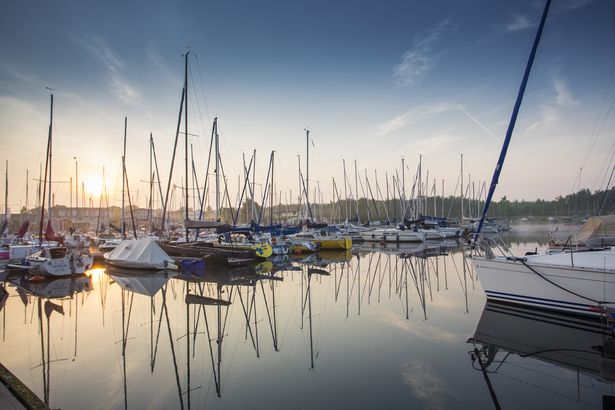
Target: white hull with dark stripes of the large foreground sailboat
{"x": 588, "y": 280}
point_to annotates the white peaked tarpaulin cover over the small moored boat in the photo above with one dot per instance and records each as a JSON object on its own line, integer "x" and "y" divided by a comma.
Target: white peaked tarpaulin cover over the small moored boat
{"x": 140, "y": 254}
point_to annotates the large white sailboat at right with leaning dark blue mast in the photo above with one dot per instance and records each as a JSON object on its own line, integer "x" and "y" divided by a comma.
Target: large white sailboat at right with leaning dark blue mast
{"x": 580, "y": 282}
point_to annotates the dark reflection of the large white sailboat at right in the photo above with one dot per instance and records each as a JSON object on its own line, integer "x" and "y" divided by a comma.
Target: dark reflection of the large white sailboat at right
{"x": 571, "y": 342}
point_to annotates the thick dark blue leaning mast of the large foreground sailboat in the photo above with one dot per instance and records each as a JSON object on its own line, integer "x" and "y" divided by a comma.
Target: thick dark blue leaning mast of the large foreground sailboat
{"x": 513, "y": 120}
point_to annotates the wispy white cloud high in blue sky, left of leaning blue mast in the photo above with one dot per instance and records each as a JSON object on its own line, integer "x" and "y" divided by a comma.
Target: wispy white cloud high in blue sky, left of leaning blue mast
{"x": 419, "y": 59}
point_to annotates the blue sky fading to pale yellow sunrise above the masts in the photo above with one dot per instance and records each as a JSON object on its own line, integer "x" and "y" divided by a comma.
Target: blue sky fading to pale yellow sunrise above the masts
{"x": 373, "y": 81}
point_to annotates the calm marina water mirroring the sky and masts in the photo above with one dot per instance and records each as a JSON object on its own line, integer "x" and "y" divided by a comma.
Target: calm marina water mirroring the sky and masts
{"x": 367, "y": 329}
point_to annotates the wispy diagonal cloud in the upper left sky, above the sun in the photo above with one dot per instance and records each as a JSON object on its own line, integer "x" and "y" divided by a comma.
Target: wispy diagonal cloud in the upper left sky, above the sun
{"x": 118, "y": 84}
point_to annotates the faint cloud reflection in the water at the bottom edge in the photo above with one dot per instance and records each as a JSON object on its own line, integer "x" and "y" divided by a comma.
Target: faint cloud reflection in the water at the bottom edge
{"x": 425, "y": 384}
